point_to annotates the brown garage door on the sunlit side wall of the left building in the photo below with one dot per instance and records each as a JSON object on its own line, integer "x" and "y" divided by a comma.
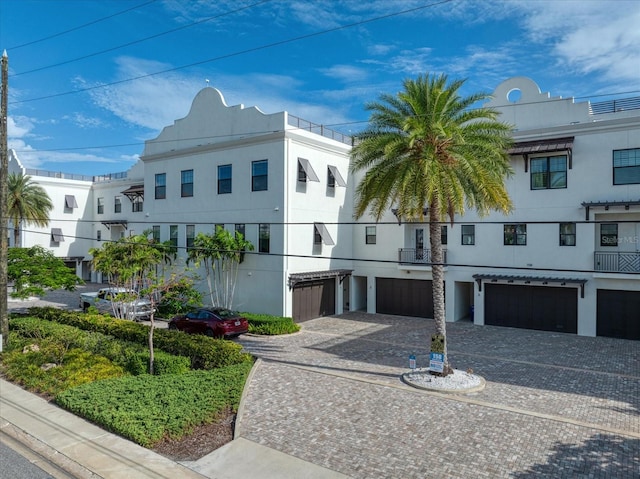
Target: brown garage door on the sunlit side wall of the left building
{"x": 312, "y": 299}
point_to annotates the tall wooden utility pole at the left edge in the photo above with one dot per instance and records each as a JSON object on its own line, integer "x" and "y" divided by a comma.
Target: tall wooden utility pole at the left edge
{"x": 4, "y": 195}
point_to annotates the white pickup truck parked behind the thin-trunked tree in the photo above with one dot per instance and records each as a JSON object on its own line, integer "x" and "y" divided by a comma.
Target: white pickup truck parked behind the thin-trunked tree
{"x": 119, "y": 302}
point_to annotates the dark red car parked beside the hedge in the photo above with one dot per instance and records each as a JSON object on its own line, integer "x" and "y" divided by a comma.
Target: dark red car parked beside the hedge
{"x": 214, "y": 322}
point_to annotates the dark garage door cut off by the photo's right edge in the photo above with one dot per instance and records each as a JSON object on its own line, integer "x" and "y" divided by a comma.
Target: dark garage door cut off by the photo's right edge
{"x": 618, "y": 314}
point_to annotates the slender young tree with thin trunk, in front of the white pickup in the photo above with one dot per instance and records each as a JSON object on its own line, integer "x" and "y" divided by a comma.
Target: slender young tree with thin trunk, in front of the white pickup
{"x": 133, "y": 263}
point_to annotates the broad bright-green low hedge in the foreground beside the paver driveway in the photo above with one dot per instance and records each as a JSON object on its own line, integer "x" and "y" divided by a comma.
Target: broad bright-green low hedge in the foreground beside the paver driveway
{"x": 147, "y": 409}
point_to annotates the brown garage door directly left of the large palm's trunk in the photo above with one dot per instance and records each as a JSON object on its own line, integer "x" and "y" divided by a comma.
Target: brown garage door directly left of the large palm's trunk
{"x": 404, "y": 297}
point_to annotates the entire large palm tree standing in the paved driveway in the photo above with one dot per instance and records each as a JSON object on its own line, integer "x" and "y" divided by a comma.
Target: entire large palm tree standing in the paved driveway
{"x": 426, "y": 146}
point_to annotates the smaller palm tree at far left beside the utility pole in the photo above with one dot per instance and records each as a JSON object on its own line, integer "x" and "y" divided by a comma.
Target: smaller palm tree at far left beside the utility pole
{"x": 27, "y": 203}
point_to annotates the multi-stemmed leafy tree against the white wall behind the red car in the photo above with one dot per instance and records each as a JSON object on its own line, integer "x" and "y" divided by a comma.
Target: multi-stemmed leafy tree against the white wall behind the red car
{"x": 221, "y": 254}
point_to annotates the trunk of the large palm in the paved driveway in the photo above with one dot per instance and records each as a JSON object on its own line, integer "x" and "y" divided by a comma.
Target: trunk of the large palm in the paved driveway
{"x": 437, "y": 272}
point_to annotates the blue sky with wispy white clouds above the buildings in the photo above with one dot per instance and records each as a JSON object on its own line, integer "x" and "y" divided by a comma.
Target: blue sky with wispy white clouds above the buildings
{"x": 141, "y": 62}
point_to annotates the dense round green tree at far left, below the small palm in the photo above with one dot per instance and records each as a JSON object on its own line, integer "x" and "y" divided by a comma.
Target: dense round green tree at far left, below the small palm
{"x": 33, "y": 271}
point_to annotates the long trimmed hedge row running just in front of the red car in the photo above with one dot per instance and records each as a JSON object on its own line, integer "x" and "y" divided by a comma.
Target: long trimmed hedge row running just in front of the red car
{"x": 202, "y": 351}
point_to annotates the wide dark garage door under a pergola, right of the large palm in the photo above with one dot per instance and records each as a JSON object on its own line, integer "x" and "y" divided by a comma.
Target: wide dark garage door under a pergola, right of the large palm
{"x": 531, "y": 307}
